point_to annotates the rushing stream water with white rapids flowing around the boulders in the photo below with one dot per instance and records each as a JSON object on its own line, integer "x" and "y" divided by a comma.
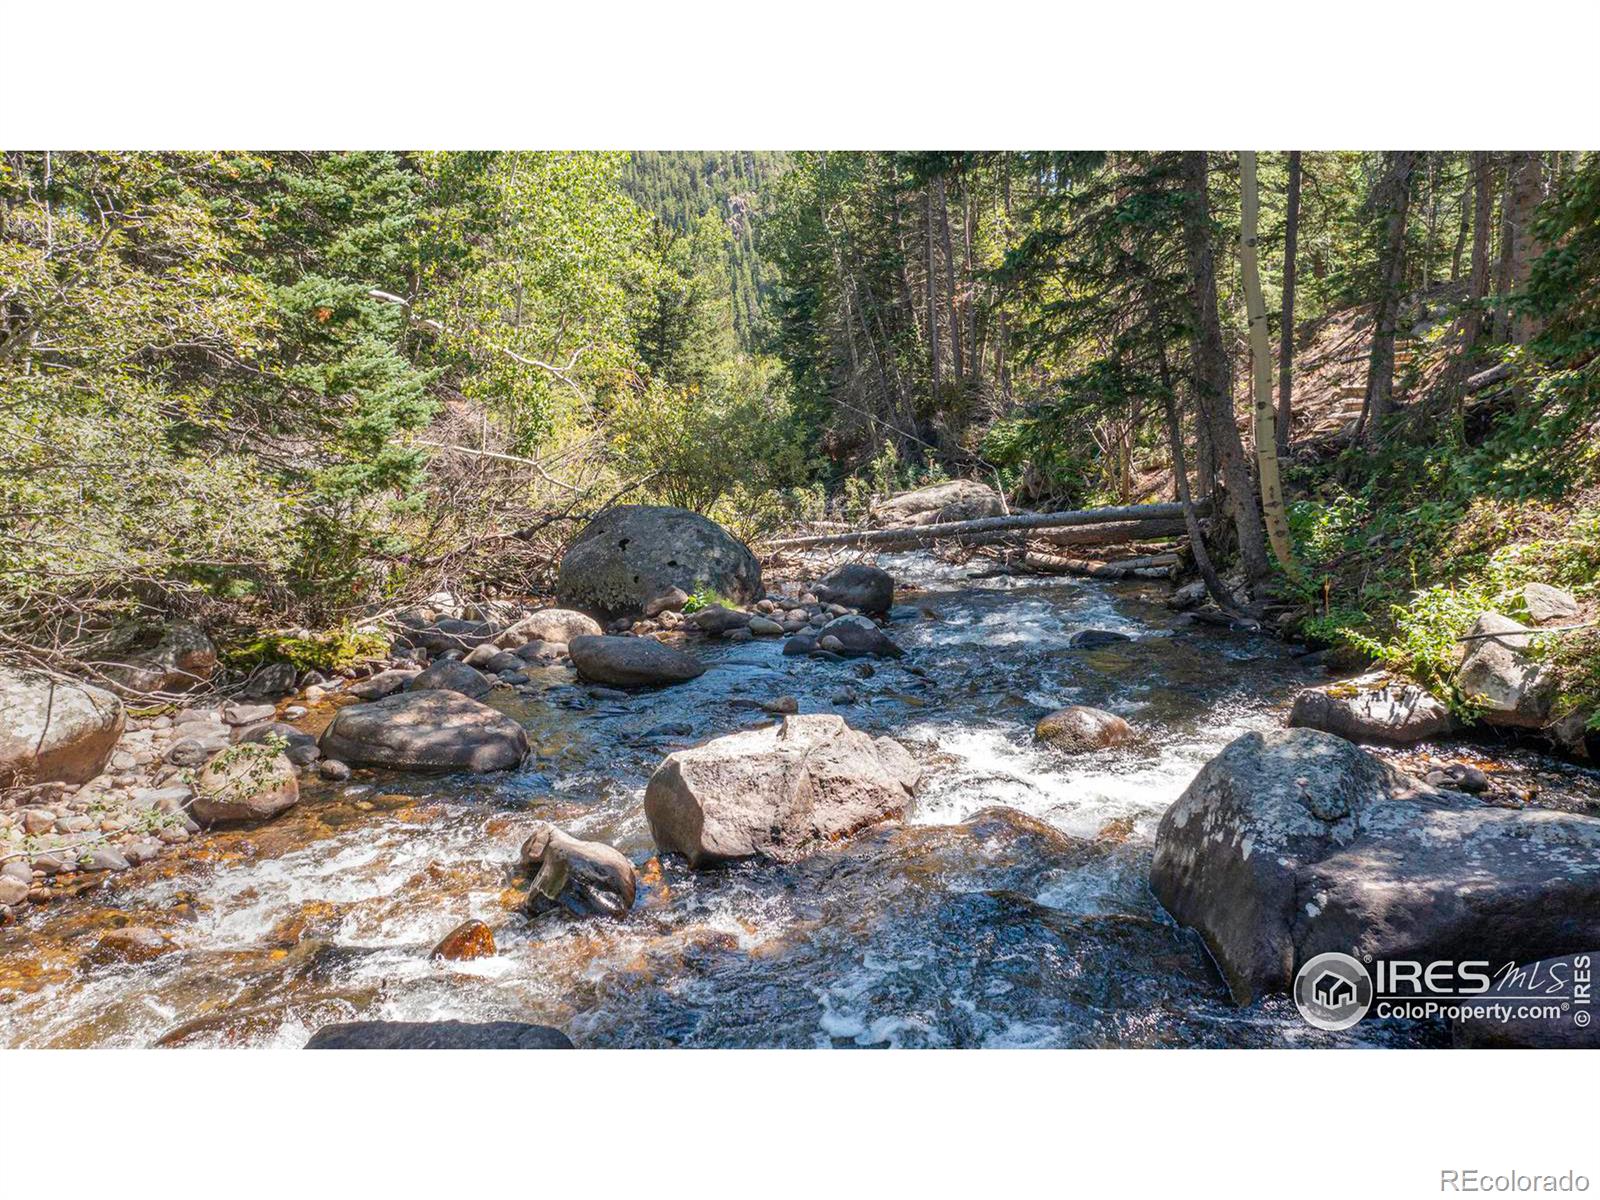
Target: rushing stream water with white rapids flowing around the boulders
{"x": 964, "y": 927}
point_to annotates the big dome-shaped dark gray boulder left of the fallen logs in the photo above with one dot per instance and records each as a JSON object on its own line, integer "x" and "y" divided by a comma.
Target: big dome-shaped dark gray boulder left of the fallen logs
{"x": 633, "y": 554}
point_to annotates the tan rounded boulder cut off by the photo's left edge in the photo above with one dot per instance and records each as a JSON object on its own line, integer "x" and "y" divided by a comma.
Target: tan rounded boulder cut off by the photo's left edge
{"x": 55, "y": 730}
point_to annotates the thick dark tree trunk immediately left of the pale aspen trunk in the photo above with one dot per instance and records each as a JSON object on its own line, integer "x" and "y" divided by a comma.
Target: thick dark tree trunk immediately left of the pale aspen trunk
{"x": 1212, "y": 377}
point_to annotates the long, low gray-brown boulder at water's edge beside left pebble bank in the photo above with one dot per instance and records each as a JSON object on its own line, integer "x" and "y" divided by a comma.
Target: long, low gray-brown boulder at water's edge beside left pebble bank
{"x": 425, "y": 730}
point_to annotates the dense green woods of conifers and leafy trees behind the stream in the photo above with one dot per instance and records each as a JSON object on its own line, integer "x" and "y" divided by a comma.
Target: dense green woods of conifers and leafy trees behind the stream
{"x": 289, "y": 391}
